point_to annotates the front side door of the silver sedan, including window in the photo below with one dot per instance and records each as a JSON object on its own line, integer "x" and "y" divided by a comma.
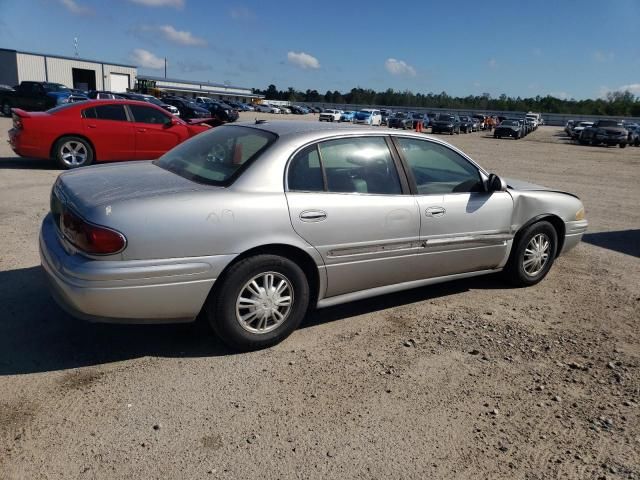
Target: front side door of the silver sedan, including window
{"x": 463, "y": 227}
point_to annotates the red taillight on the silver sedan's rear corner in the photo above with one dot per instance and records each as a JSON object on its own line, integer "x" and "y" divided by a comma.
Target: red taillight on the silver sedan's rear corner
{"x": 90, "y": 238}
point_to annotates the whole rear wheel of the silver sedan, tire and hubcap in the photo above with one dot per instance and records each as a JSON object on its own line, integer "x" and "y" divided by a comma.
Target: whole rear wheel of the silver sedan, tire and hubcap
{"x": 259, "y": 302}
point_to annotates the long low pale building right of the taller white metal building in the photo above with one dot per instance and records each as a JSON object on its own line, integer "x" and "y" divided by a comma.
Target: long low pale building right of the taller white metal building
{"x": 189, "y": 88}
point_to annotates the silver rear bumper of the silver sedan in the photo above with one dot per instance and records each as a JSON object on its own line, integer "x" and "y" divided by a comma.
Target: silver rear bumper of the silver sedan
{"x": 127, "y": 291}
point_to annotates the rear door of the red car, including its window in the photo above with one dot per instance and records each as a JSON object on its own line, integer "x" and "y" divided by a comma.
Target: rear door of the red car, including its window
{"x": 110, "y": 131}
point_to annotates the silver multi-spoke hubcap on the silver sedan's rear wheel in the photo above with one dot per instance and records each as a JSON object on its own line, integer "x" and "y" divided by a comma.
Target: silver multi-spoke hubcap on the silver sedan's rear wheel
{"x": 264, "y": 302}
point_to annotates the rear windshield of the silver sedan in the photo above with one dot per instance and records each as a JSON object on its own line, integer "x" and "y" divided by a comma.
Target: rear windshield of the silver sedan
{"x": 216, "y": 157}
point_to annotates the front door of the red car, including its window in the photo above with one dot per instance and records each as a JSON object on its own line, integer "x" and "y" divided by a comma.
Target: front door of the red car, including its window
{"x": 155, "y": 134}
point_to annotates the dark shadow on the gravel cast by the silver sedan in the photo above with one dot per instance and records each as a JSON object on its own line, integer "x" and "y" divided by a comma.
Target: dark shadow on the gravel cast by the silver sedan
{"x": 36, "y": 335}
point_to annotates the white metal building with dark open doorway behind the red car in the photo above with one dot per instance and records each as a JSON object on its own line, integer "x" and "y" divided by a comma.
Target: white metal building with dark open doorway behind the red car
{"x": 17, "y": 66}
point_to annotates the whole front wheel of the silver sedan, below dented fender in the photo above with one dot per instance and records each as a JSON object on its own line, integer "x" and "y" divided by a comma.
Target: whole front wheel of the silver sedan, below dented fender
{"x": 533, "y": 253}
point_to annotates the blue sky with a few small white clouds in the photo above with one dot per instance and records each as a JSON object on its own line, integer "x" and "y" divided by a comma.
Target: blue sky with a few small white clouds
{"x": 564, "y": 48}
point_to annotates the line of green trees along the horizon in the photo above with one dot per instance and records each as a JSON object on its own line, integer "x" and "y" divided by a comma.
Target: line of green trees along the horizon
{"x": 614, "y": 103}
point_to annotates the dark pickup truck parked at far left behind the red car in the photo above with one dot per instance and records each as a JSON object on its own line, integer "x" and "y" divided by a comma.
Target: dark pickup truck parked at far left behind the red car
{"x": 33, "y": 96}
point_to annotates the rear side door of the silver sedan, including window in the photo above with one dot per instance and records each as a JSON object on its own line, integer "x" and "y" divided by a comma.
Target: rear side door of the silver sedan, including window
{"x": 347, "y": 199}
